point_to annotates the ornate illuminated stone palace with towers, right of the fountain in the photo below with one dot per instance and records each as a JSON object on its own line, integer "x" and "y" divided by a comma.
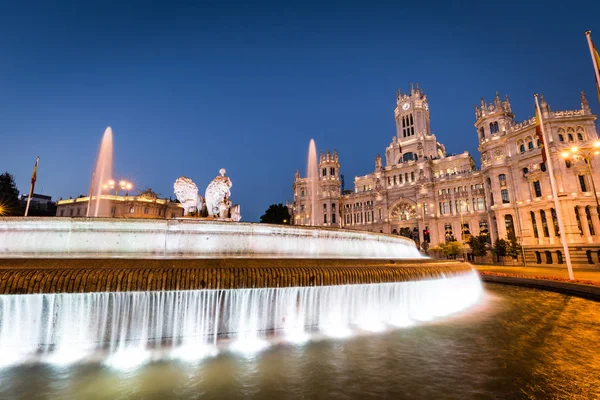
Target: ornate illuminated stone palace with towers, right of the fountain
{"x": 423, "y": 192}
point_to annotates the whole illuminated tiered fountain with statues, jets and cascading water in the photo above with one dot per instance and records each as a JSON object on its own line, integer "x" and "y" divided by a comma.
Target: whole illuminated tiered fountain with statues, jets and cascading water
{"x": 131, "y": 290}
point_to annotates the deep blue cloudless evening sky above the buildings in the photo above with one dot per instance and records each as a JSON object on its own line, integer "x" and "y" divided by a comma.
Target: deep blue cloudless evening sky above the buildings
{"x": 189, "y": 88}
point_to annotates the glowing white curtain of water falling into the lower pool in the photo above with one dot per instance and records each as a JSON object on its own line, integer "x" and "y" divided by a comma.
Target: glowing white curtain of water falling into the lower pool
{"x": 134, "y": 326}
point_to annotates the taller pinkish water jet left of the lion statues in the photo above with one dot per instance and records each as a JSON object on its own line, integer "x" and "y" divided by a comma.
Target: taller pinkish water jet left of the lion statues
{"x": 103, "y": 172}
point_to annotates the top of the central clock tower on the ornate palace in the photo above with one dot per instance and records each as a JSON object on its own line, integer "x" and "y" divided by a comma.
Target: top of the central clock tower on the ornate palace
{"x": 412, "y": 115}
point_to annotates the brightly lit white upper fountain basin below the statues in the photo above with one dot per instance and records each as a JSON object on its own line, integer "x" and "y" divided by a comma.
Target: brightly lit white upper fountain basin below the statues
{"x": 189, "y": 238}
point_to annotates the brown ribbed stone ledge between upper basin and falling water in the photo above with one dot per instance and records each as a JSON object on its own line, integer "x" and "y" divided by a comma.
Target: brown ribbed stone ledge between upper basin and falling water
{"x": 28, "y": 276}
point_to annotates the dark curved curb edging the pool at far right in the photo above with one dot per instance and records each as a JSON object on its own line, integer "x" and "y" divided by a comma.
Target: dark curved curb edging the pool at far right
{"x": 573, "y": 289}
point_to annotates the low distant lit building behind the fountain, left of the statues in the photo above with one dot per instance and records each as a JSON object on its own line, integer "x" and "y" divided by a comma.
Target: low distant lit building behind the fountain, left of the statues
{"x": 145, "y": 205}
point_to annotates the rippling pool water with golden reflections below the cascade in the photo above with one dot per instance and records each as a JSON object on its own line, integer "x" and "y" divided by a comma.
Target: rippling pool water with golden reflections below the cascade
{"x": 521, "y": 343}
